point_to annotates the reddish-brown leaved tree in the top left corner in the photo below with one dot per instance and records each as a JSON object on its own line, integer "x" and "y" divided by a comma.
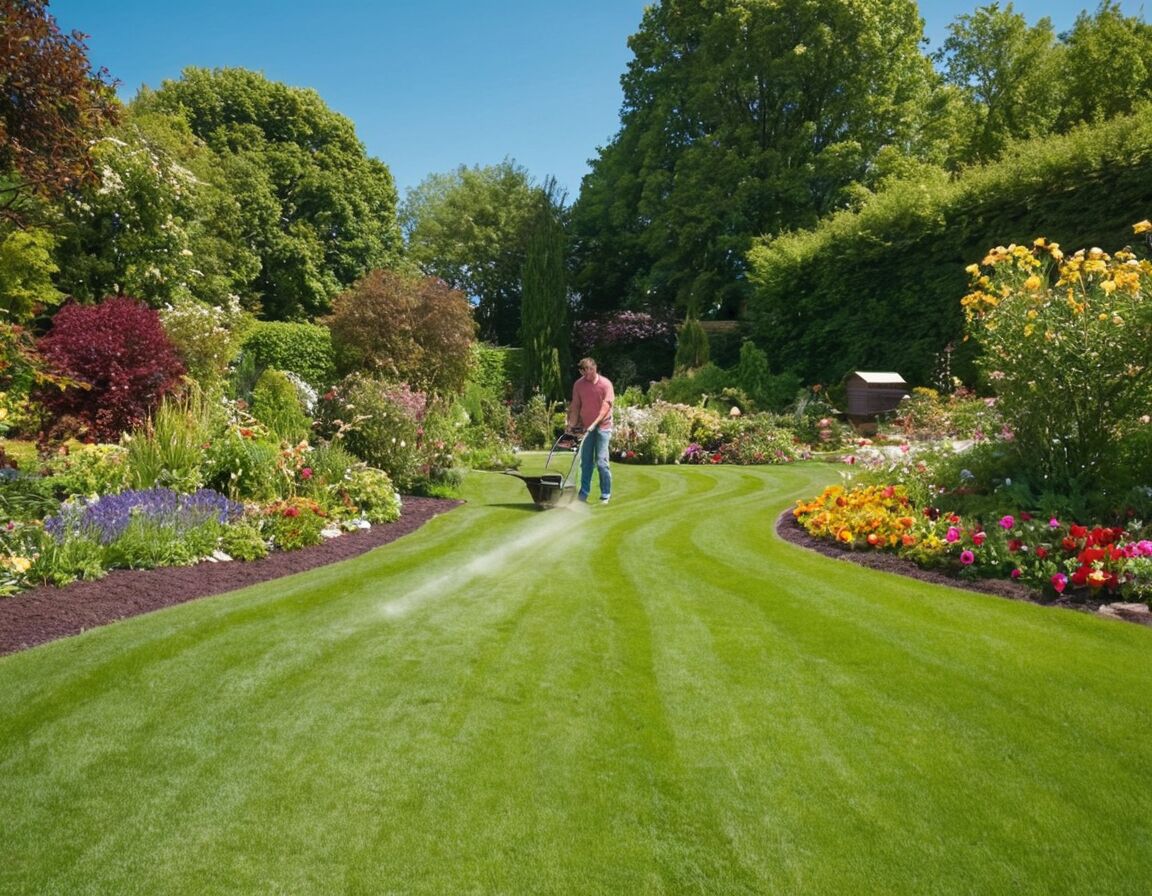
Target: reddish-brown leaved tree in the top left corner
{"x": 51, "y": 107}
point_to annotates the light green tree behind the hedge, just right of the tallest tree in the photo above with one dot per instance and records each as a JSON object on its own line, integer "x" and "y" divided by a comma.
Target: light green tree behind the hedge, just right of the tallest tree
{"x": 1009, "y": 74}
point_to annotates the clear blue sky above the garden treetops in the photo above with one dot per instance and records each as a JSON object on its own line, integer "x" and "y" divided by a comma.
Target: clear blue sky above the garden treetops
{"x": 430, "y": 85}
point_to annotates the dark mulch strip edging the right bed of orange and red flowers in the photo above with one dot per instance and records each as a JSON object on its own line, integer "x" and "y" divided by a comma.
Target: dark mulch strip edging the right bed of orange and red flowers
{"x": 791, "y": 530}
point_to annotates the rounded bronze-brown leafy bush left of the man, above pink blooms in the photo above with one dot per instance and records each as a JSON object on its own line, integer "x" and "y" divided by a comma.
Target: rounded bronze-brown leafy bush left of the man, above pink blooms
{"x": 405, "y": 329}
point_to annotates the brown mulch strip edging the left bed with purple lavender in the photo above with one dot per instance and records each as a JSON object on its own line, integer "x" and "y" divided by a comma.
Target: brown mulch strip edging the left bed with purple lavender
{"x": 49, "y": 613}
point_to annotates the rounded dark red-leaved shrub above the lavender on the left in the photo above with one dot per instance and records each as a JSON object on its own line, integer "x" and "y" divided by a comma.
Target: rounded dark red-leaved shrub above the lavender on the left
{"x": 120, "y": 351}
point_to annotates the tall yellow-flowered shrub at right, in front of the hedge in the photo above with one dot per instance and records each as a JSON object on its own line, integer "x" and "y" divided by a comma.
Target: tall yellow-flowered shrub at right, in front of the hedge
{"x": 1071, "y": 362}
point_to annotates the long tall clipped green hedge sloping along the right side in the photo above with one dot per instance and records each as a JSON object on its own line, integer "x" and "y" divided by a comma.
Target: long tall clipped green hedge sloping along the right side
{"x": 881, "y": 288}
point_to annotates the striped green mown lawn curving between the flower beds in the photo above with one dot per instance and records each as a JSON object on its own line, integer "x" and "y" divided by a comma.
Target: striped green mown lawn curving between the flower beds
{"x": 654, "y": 697}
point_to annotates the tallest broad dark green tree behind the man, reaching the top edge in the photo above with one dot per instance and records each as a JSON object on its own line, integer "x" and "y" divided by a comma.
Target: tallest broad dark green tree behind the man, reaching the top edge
{"x": 740, "y": 118}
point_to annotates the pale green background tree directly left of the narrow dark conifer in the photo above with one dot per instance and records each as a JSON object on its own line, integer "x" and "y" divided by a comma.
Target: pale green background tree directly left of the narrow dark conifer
{"x": 471, "y": 229}
